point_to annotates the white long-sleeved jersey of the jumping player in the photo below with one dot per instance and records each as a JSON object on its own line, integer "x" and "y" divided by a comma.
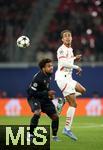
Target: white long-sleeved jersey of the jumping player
{"x": 65, "y": 61}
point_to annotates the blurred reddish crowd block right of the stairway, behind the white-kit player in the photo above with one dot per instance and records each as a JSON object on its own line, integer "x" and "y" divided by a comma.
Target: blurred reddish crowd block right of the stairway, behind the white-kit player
{"x": 85, "y": 19}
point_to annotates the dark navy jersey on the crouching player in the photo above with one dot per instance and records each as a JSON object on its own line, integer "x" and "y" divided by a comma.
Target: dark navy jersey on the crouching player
{"x": 39, "y": 86}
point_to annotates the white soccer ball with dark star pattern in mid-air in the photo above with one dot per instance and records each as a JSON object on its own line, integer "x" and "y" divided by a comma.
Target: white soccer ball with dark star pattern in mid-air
{"x": 23, "y": 42}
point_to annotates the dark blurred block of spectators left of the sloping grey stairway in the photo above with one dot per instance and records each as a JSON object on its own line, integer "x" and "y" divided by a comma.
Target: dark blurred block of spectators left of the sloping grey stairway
{"x": 14, "y": 15}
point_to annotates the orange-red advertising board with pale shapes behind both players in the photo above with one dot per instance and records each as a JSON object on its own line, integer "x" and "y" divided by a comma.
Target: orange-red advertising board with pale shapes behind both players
{"x": 20, "y": 107}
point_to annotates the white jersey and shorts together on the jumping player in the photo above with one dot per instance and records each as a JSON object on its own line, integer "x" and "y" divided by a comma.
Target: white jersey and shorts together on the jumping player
{"x": 63, "y": 75}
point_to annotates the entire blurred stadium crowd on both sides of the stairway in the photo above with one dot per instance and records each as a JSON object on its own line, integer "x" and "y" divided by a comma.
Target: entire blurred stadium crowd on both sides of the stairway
{"x": 83, "y": 17}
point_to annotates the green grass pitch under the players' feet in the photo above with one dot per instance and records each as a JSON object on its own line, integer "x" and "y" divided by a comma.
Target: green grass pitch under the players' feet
{"x": 89, "y": 131}
